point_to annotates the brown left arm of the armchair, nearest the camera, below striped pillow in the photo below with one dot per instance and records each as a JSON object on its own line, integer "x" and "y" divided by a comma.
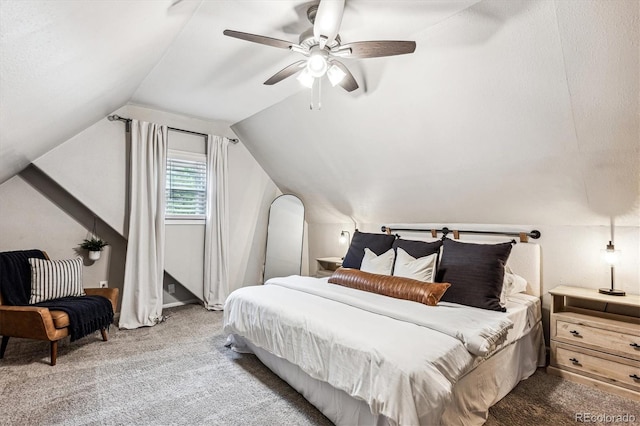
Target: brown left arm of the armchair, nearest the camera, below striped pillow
{"x": 31, "y": 322}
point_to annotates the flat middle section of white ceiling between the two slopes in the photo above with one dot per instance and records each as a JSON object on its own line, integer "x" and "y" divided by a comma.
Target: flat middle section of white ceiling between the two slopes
{"x": 206, "y": 74}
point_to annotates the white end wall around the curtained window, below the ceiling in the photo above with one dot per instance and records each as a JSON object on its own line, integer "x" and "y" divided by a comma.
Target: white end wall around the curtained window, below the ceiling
{"x": 92, "y": 166}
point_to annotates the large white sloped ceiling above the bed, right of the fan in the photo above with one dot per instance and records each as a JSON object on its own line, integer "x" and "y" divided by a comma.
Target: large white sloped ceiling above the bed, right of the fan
{"x": 508, "y": 112}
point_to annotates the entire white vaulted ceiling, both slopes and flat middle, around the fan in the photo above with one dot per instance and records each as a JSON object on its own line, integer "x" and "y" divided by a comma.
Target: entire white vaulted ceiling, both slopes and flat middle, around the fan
{"x": 508, "y": 111}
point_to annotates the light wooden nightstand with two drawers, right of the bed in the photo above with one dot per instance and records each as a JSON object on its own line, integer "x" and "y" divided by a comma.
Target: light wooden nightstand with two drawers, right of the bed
{"x": 596, "y": 348}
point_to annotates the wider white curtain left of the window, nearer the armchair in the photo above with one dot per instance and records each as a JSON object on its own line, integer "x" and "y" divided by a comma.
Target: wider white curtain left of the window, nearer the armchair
{"x": 144, "y": 268}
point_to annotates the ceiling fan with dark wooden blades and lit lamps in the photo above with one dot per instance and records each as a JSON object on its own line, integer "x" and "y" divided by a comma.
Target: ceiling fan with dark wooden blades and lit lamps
{"x": 322, "y": 47}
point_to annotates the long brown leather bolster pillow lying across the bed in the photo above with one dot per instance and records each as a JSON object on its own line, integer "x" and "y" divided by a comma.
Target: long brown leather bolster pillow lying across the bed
{"x": 398, "y": 287}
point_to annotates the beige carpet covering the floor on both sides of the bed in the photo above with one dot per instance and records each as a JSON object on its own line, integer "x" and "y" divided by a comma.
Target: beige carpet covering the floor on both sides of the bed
{"x": 179, "y": 372}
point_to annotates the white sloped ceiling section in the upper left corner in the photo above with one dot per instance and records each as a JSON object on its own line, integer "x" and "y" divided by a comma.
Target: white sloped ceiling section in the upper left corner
{"x": 66, "y": 64}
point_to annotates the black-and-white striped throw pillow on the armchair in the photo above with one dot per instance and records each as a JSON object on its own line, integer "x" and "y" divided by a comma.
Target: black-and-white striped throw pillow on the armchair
{"x": 53, "y": 279}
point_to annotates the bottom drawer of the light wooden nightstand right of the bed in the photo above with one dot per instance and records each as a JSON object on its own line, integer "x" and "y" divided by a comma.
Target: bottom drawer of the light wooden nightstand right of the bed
{"x": 614, "y": 370}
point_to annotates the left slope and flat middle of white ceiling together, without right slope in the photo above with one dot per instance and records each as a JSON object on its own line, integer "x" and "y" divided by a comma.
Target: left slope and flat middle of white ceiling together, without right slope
{"x": 65, "y": 64}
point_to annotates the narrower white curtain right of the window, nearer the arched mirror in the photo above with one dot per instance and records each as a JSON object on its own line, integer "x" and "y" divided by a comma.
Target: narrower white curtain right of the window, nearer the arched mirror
{"x": 216, "y": 240}
